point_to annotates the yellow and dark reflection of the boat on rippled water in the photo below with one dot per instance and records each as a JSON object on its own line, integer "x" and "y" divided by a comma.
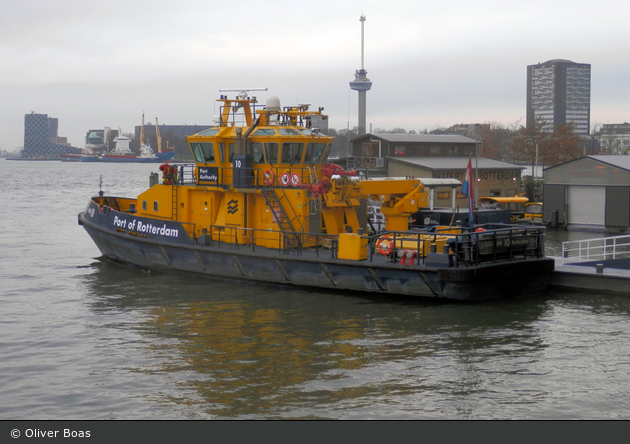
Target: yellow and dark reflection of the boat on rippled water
{"x": 255, "y": 351}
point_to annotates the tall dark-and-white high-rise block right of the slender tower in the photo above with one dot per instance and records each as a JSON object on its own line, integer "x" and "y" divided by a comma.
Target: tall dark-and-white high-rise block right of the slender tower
{"x": 559, "y": 92}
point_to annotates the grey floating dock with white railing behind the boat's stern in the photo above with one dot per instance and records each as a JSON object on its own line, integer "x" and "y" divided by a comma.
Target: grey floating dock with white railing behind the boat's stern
{"x": 601, "y": 264}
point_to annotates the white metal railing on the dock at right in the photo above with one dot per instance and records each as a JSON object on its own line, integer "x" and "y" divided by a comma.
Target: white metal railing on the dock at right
{"x": 600, "y": 249}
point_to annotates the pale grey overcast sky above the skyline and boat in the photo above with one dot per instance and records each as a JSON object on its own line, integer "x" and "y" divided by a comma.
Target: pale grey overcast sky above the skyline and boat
{"x": 102, "y": 63}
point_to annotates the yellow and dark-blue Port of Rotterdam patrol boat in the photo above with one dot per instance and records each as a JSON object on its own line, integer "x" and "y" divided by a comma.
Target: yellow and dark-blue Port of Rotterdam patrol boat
{"x": 260, "y": 203}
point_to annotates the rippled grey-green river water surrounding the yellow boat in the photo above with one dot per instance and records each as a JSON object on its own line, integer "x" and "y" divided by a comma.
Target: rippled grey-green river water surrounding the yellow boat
{"x": 84, "y": 338}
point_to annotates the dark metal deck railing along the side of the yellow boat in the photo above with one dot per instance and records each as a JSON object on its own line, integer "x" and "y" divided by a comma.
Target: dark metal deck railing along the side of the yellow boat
{"x": 497, "y": 242}
